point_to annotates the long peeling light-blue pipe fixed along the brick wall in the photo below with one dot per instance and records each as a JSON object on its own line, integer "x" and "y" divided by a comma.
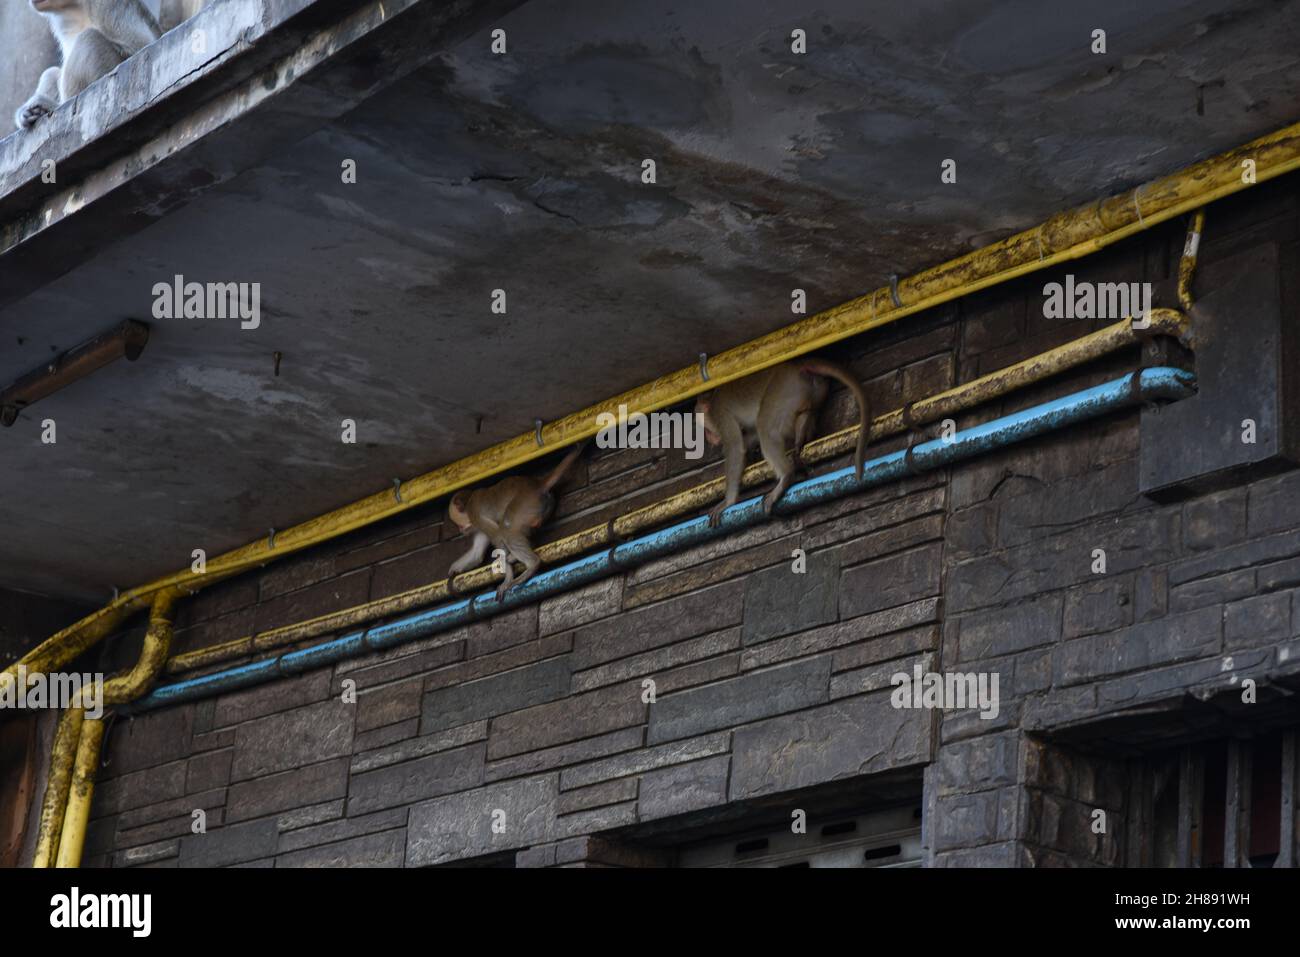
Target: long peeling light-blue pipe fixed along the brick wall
{"x": 1143, "y": 386}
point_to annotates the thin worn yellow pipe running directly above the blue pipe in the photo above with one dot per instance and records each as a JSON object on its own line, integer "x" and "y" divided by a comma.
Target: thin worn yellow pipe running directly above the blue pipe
{"x": 952, "y": 401}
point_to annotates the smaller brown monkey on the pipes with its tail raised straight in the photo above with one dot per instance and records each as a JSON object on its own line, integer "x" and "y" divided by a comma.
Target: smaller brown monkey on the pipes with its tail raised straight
{"x": 505, "y": 517}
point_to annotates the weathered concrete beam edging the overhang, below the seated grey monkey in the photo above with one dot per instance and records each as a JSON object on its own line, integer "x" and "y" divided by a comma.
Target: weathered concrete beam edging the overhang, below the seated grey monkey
{"x": 172, "y": 123}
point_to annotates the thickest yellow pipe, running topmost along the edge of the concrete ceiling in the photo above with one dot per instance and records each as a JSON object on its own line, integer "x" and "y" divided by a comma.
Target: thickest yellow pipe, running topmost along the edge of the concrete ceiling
{"x": 1061, "y": 239}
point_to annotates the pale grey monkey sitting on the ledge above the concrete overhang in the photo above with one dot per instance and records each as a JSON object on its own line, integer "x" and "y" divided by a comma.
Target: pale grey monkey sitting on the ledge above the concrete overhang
{"x": 96, "y": 37}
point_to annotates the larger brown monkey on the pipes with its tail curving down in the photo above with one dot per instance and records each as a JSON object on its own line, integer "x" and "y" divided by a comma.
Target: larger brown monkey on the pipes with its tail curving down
{"x": 781, "y": 405}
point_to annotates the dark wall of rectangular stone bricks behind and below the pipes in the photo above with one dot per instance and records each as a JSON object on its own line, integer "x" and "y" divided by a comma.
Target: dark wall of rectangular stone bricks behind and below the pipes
{"x": 527, "y": 739}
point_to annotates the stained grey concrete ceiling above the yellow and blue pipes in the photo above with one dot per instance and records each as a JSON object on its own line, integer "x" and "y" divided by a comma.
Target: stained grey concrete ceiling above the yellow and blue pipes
{"x": 523, "y": 174}
